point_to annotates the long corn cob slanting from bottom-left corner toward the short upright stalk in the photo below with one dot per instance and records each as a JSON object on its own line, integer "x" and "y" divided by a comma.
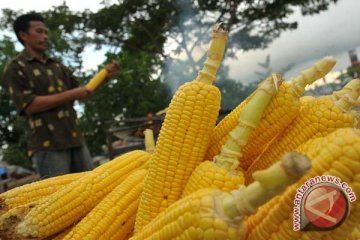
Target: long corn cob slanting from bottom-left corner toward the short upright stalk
{"x": 75, "y": 200}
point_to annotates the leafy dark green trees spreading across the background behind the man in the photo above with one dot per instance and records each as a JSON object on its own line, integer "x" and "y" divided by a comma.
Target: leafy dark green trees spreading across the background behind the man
{"x": 136, "y": 32}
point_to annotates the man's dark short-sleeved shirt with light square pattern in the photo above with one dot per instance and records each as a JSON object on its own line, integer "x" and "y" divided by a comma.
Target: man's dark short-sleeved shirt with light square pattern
{"x": 55, "y": 129}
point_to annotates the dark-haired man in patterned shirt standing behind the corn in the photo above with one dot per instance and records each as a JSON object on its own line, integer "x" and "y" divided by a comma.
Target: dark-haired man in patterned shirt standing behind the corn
{"x": 43, "y": 90}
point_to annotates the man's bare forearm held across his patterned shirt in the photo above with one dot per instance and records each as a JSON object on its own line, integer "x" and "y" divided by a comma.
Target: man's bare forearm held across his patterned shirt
{"x": 43, "y": 103}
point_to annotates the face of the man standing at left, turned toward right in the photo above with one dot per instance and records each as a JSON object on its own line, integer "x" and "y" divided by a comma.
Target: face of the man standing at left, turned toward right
{"x": 36, "y": 37}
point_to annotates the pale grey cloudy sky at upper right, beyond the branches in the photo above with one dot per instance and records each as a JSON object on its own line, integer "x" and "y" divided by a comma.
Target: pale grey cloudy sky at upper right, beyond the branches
{"x": 332, "y": 32}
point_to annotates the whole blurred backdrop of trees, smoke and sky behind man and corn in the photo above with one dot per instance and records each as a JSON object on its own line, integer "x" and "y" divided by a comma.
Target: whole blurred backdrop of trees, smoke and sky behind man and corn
{"x": 162, "y": 44}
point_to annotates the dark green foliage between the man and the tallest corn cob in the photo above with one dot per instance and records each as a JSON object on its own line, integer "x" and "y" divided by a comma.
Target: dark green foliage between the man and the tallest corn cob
{"x": 136, "y": 91}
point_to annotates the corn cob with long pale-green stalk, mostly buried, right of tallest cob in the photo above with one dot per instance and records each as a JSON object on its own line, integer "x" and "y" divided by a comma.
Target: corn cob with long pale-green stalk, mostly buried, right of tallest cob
{"x": 222, "y": 173}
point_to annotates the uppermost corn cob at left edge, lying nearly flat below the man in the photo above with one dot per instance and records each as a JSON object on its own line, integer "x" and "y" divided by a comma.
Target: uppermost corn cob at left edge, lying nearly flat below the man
{"x": 34, "y": 191}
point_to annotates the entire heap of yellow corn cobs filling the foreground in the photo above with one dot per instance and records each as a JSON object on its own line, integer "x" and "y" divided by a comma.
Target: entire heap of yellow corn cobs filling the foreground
{"x": 233, "y": 180}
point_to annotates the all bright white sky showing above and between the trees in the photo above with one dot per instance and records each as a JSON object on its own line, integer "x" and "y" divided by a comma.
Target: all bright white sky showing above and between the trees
{"x": 333, "y": 32}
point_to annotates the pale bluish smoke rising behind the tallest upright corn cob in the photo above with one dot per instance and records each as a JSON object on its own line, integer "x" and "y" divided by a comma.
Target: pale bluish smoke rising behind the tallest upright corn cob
{"x": 186, "y": 47}
